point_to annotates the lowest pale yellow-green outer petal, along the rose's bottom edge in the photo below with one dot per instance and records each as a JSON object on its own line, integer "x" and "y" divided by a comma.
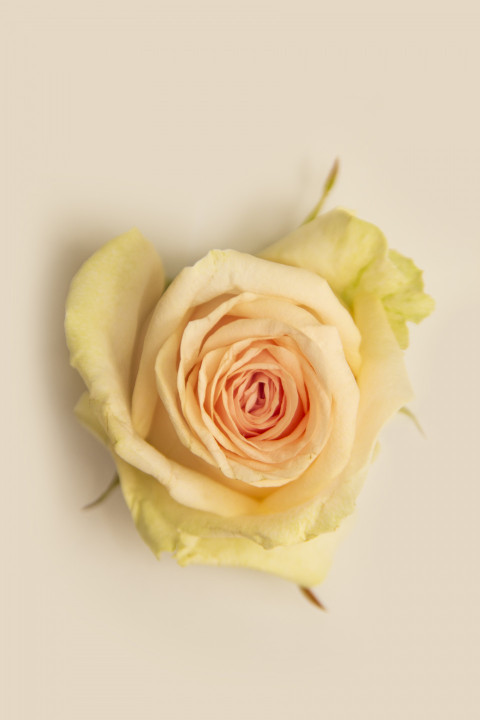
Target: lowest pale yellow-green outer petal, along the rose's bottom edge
{"x": 159, "y": 521}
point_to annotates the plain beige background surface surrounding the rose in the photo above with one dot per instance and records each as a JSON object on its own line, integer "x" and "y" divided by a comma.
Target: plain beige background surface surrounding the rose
{"x": 213, "y": 124}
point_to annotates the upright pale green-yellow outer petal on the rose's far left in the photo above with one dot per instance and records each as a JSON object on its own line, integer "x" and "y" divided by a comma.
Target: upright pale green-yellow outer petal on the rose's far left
{"x": 110, "y": 297}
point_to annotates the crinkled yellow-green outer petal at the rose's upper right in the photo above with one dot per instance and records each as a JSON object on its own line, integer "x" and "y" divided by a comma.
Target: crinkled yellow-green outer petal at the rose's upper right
{"x": 353, "y": 256}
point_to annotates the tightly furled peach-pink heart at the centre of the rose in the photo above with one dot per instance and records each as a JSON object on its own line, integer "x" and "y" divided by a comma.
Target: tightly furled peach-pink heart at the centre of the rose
{"x": 259, "y": 401}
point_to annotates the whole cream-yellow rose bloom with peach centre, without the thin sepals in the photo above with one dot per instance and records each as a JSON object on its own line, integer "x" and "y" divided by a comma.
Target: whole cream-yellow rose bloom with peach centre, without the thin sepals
{"x": 243, "y": 403}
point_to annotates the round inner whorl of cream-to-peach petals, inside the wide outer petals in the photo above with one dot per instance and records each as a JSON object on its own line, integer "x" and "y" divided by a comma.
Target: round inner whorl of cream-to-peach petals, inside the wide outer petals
{"x": 253, "y": 393}
